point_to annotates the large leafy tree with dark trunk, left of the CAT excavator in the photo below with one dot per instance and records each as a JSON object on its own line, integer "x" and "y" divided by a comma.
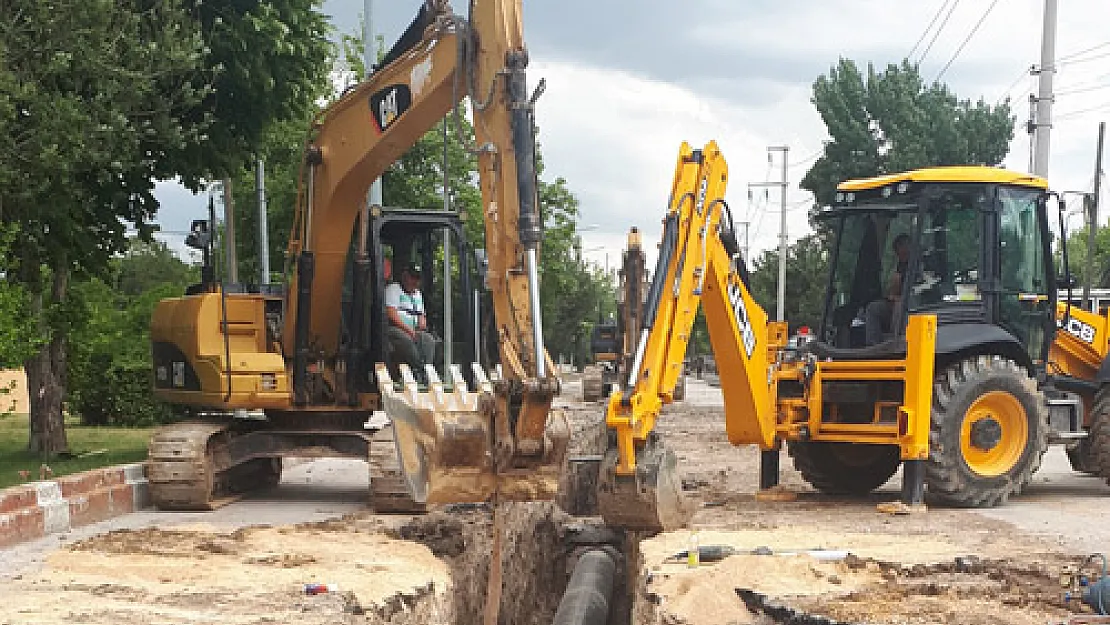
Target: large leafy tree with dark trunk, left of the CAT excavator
{"x": 102, "y": 98}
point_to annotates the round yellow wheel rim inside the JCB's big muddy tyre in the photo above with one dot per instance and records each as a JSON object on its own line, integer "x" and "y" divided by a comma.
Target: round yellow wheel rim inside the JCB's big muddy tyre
{"x": 994, "y": 435}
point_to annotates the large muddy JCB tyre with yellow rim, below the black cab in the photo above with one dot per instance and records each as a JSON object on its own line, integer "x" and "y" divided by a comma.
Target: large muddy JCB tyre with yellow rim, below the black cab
{"x": 988, "y": 434}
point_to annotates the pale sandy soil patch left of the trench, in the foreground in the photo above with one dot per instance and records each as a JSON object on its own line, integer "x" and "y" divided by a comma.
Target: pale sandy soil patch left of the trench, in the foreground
{"x": 253, "y": 576}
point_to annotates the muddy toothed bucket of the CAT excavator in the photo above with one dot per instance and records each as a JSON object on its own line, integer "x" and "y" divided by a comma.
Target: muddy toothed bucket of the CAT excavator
{"x": 447, "y": 445}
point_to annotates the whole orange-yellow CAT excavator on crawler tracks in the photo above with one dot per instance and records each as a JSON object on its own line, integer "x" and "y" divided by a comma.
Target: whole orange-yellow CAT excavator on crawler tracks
{"x": 300, "y": 375}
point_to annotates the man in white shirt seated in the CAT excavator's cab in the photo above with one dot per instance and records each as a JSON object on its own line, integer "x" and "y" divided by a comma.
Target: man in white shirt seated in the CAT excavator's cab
{"x": 408, "y": 332}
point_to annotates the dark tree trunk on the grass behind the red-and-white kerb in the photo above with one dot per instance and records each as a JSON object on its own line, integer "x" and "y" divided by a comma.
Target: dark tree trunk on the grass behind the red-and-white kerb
{"x": 46, "y": 377}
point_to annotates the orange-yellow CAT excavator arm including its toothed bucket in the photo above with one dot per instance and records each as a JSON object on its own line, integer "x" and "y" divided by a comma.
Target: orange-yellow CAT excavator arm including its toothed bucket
{"x": 456, "y": 445}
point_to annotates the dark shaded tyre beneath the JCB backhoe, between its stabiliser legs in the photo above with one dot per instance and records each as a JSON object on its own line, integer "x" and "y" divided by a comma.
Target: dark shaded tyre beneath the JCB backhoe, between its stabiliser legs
{"x": 844, "y": 469}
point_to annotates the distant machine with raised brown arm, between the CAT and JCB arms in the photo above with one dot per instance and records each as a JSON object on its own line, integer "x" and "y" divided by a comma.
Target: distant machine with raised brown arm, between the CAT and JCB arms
{"x": 613, "y": 342}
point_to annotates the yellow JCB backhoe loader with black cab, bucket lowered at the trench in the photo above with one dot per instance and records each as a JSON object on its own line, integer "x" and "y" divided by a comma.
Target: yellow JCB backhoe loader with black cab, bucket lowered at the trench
{"x": 940, "y": 315}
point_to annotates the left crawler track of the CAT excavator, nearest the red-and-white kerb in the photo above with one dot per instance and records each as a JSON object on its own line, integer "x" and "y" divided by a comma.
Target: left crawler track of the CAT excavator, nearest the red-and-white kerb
{"x": 189, "y": 468}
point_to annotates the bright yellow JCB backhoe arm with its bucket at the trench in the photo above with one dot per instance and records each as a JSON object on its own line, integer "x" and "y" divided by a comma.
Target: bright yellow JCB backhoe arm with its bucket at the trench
{"x": 699, "y": 263}
